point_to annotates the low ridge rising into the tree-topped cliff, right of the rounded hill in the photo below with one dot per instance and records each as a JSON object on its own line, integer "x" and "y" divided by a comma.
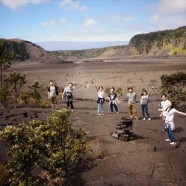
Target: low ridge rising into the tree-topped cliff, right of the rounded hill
{"x": 161, "y": 43}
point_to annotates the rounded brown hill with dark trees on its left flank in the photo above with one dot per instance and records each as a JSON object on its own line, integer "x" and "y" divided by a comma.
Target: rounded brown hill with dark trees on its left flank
{"x": 25, "y": 50}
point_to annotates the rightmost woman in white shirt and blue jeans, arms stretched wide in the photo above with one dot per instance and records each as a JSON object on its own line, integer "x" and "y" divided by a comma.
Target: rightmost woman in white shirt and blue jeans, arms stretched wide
{"x": 169, "y": 120}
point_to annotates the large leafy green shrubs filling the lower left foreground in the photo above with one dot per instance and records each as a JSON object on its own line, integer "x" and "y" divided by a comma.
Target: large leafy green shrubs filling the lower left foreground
{"x": 42, "y": 152}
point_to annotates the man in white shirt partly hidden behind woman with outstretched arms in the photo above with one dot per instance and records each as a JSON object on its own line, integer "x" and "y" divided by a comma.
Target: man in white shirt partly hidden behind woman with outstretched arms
{"x": 165, "y": 103}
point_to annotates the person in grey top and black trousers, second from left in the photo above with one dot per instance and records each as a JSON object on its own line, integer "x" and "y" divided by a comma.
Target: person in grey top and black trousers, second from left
{"x": 68, "y": 96}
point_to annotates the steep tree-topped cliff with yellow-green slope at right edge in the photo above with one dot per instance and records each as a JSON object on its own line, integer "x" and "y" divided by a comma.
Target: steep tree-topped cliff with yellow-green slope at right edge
{"x": 168, "y": 42}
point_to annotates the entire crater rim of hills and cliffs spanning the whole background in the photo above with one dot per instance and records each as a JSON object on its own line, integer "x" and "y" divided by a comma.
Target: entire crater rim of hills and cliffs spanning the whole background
{"x": 154, "y": 44}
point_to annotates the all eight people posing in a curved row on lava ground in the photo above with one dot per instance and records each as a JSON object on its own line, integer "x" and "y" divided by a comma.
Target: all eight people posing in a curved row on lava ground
{"x": 167, "y": 107}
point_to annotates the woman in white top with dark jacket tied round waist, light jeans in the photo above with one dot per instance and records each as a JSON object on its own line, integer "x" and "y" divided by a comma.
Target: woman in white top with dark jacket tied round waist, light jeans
{"x": 100, "y": 100}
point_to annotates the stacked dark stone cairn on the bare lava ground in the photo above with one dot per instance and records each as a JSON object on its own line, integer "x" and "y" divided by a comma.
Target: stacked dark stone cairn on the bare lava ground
{"x": 123, "y": 130}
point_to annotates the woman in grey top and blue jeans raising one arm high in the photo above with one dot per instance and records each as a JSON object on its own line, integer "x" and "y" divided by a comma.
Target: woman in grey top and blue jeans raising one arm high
{"x": 144, "y": 103}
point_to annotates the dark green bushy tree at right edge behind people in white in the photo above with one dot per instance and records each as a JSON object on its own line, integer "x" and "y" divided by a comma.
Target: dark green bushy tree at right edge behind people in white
{"x": 175, "y": 86}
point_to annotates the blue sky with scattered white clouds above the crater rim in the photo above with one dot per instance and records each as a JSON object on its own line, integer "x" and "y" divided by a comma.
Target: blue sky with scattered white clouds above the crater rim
{"x": 87, "y": 20}
